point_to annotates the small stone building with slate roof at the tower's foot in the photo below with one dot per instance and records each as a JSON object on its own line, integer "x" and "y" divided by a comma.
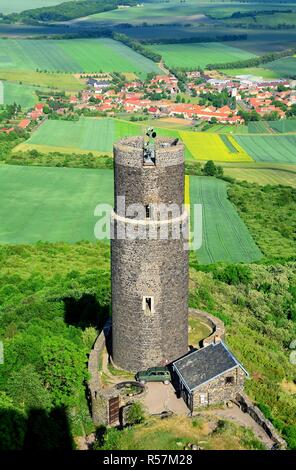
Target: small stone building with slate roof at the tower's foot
{"x": 208, "y": 376}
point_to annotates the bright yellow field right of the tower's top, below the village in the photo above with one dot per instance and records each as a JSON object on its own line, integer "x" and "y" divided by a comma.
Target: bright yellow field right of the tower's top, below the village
{"x": 206, "y": 146}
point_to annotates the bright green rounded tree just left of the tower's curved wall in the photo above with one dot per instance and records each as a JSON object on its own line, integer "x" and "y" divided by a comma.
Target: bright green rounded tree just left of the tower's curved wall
{"x": 65, "y": 369}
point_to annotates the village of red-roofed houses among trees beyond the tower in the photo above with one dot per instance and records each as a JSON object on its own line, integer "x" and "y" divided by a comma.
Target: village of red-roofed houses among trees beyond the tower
{"x": 195, "y": 99}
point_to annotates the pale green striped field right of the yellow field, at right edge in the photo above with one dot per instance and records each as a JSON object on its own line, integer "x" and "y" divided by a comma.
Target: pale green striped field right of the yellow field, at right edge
{"x": 269, "y": 148}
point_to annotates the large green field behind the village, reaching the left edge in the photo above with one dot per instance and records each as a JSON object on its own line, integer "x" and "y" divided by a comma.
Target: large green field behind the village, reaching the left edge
{"x": 72, "y": 56}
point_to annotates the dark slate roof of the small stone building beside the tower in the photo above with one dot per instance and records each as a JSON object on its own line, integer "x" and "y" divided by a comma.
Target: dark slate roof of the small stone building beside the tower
{"x": 203, "y": 365}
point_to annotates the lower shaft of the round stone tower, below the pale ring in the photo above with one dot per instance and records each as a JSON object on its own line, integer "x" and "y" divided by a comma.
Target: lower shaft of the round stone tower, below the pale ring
{"x": 140, "y": 268}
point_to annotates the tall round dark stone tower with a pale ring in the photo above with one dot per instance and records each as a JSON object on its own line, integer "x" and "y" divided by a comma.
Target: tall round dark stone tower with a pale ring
{"x": 149, "y": 273}
